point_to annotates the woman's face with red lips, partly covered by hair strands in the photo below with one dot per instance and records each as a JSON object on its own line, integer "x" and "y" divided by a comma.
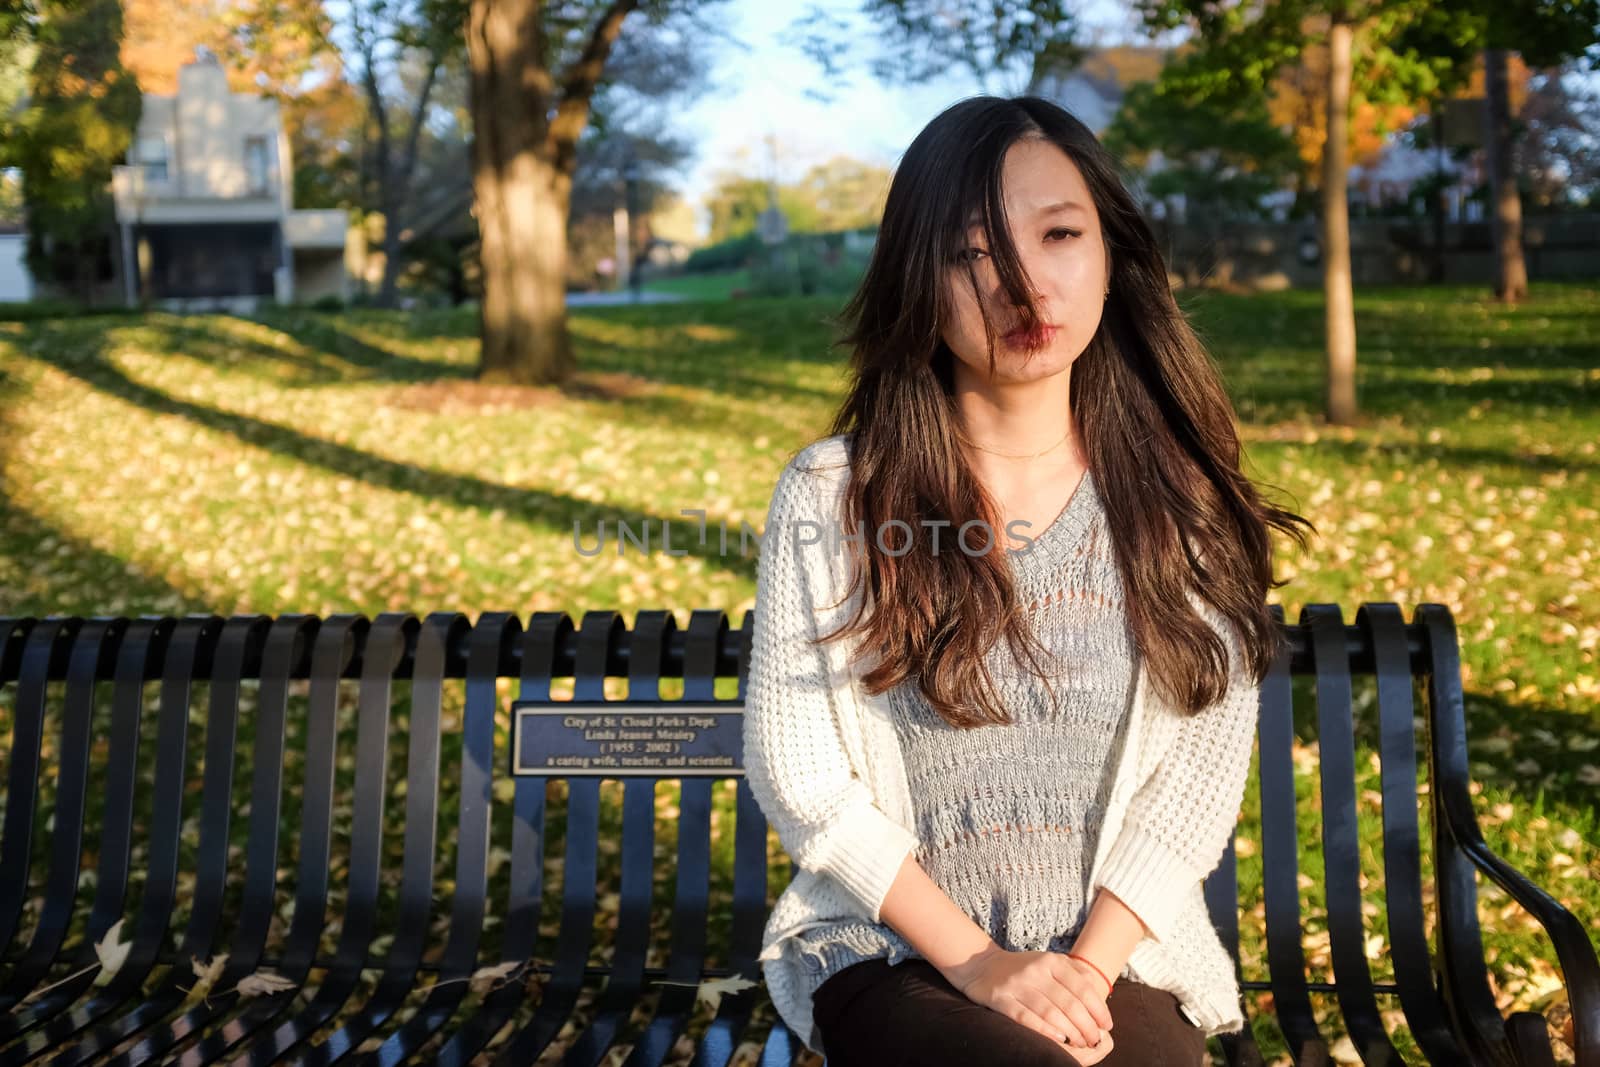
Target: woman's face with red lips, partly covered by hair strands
{"x": 1063, "y": 257}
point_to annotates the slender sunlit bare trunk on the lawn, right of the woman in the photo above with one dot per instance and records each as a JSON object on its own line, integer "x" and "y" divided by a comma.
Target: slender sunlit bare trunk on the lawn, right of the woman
{"x": 1337, "y": 284}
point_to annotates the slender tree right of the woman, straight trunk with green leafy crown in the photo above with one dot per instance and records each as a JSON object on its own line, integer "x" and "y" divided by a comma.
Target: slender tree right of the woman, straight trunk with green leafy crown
{"x": 1239, "y": 54}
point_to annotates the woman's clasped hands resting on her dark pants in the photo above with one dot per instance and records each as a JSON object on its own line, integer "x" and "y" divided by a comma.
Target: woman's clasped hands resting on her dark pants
{"x": 1044, "y": 991}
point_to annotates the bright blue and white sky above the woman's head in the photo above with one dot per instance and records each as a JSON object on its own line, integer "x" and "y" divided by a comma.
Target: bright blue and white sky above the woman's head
{"x": 761, "y": 92}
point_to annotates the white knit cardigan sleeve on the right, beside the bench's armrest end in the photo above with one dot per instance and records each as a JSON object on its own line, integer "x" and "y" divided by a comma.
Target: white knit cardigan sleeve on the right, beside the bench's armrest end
{"x": 1182, "y": 817}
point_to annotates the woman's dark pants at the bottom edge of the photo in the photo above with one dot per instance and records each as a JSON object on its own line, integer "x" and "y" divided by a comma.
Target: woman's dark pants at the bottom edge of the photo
{"x": 874, "y": 1015}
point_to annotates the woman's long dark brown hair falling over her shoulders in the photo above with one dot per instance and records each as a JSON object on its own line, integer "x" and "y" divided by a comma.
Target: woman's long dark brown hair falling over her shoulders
{"x": 1156, "y": 423}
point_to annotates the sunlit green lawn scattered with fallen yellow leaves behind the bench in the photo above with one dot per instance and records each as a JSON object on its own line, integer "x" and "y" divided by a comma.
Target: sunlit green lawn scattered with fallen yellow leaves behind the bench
{"x": 346, "y": 463}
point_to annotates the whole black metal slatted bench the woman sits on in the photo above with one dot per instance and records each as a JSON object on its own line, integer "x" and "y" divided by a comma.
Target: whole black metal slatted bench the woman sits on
{"x": 420, "y": 943}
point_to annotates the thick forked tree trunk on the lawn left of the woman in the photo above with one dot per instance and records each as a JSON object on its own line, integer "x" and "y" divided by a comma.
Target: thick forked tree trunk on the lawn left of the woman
{"x": 535, "y": 71}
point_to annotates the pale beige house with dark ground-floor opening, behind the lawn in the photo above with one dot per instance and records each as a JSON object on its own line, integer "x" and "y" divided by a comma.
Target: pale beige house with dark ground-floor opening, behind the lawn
{"x": 206, "y": 206}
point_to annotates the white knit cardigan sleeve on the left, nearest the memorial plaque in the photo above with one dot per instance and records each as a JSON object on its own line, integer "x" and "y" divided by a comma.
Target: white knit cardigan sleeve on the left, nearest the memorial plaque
{"x": 794, "y": 759}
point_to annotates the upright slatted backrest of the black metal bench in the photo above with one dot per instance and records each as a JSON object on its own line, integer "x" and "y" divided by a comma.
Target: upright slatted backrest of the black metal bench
{"x": 378, "y": 825}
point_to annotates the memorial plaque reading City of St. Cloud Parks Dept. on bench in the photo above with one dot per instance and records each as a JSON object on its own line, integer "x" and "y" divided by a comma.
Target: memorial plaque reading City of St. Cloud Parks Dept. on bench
{"x": 614, "y": 740}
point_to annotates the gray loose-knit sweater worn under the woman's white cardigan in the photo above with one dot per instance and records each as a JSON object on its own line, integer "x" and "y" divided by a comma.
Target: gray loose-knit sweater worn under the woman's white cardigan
{"x": 1009, "y": 815}
